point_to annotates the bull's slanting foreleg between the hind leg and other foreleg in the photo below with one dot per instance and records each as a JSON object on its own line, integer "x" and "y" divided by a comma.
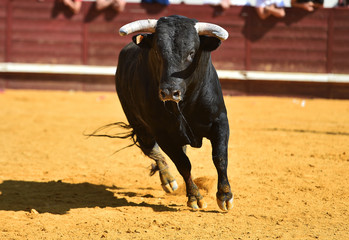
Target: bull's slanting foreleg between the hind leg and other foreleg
{"x": 180, "y": 159}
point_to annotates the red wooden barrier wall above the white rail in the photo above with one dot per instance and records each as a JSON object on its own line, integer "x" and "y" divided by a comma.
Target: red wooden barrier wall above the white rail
{"x": 46, "y": 32}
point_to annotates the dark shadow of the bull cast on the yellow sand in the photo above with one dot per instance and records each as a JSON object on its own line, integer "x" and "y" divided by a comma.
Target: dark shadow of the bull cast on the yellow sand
{"x": 59, "y": 197}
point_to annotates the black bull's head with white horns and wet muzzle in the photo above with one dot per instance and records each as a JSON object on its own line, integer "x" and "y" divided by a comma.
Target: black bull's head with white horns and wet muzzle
{"x": 175, "y": 46}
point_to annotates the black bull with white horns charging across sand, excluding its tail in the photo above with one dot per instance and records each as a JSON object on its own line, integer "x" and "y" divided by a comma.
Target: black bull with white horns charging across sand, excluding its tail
{"x": 171, "y": 95}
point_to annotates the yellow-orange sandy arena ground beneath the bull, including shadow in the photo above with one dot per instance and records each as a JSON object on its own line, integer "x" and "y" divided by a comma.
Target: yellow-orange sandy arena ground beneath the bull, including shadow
{"x": 288, "y": 168}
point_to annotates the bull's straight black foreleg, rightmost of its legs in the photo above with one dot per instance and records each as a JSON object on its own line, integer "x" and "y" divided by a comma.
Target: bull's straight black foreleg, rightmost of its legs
{"x": 219, "y": 143}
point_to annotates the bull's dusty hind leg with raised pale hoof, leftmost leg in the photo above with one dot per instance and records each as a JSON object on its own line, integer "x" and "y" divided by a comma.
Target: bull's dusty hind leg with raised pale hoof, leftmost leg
{"x": 168, "y": 182}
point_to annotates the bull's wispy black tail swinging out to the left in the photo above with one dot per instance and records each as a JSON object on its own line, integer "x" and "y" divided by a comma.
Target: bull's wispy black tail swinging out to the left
{"x": 107, "y": 131}
